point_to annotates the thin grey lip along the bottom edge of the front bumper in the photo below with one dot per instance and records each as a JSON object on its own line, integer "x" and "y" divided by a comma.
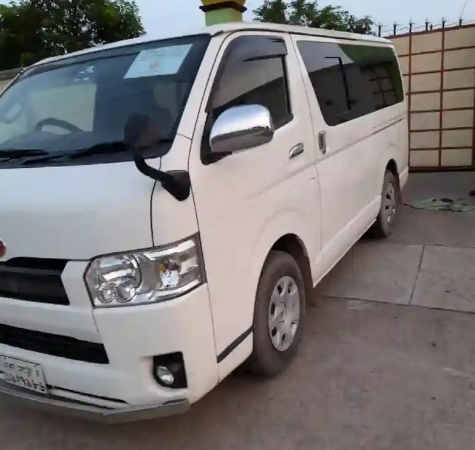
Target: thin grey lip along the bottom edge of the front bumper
{"x": 120, "y": 415}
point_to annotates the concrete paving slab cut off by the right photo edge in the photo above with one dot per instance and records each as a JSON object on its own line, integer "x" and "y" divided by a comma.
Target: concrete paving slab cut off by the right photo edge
{"x": 446, "y": 279}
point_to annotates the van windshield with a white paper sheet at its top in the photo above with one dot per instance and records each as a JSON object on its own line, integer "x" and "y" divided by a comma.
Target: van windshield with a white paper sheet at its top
{"x": 74, "y": 111}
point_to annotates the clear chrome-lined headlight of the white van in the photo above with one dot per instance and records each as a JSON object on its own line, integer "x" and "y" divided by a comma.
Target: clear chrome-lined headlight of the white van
{"x": 145, "y": 277}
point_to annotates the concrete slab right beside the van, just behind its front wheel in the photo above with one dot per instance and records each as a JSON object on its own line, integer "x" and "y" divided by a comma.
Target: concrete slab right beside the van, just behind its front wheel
{"x": 375, "y": 271}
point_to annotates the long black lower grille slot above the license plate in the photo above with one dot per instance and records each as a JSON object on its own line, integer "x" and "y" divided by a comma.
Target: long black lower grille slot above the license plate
{"x": 53, "y": 344}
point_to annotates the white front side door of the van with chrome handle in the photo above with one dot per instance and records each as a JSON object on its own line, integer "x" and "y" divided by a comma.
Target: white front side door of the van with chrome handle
{"x": 248, "y": 200}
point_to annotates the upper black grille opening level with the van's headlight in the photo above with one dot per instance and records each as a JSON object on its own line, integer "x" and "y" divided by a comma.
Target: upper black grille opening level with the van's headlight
{"x": 33, "y": 279}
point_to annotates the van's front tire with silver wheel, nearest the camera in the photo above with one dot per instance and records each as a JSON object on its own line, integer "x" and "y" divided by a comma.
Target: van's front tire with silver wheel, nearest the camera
{"x": 275, "y": 314}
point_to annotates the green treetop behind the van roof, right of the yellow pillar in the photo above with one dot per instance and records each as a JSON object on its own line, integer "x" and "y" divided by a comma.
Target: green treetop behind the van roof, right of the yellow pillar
{"x": 307, "y": 13}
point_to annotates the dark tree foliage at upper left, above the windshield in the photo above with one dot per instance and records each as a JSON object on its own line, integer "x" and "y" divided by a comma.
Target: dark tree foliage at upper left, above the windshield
{"x": 31, "y": 30}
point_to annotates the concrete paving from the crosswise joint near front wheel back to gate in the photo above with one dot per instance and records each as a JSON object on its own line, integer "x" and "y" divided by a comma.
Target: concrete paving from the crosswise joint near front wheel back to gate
{"x": 429, "y": 261}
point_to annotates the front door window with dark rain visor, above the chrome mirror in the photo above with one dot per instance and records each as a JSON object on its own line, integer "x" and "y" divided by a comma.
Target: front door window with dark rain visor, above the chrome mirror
{"x": 253, "y": 72}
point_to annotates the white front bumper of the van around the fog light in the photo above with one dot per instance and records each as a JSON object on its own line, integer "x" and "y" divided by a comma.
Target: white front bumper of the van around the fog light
{"x": 132, "y": 337}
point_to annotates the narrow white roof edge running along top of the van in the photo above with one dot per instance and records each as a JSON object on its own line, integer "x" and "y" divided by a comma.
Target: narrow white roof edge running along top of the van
{"x": 226, "y": 28}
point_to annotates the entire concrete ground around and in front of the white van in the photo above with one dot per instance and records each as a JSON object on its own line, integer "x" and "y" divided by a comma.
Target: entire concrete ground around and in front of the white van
{"x": 387, "y": 361}
